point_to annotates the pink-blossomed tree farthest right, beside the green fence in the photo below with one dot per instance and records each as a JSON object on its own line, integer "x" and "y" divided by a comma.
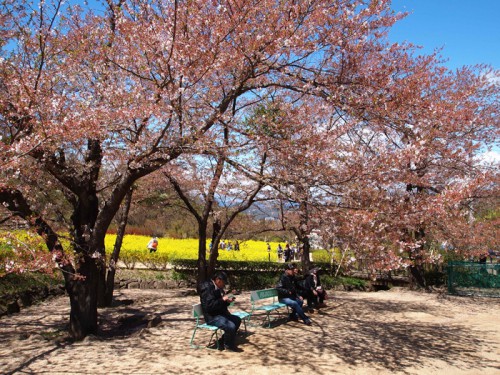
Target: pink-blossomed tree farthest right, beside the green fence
{"x": 416, "y": 178}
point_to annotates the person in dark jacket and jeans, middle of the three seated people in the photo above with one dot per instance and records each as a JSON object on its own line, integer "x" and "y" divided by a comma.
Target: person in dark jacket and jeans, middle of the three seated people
{"x": 287, "y": 294}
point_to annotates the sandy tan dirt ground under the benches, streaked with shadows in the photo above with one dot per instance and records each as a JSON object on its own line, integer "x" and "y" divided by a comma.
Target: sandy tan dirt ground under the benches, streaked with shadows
{"x": 391, "y": 332}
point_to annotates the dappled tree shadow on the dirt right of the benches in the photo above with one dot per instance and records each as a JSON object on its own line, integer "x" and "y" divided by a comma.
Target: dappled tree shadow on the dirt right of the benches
{"x": 353, "y": 333}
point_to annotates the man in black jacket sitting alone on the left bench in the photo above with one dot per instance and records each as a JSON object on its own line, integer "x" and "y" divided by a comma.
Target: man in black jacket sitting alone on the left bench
{"x": 214, "y": 303}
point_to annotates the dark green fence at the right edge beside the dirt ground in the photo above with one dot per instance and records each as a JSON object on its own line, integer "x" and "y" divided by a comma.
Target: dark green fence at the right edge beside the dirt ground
{"x": 474, "y": 279}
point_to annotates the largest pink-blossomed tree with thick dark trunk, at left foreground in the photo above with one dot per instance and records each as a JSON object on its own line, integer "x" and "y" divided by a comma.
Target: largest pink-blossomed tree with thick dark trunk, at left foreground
{"x": 93, "y": 101}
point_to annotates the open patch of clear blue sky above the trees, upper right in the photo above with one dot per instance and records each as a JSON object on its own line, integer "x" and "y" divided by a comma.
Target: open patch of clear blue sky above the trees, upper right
{"x": 468, "y": 30}
